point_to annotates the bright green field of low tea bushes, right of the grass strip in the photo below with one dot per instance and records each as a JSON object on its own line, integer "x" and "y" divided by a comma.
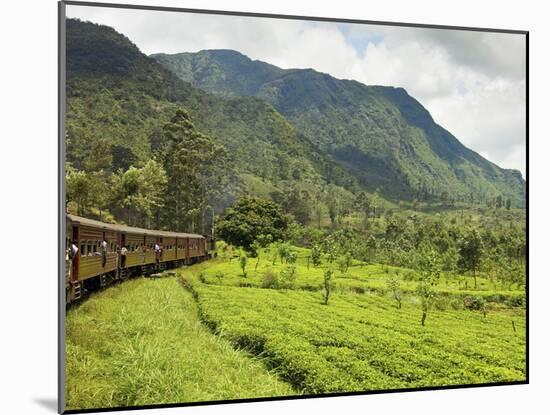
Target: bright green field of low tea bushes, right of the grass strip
{"x": 358, "y": 341}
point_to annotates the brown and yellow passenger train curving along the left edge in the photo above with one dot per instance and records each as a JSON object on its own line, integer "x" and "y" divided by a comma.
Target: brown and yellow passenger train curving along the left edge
{"x": 98, "y": 254}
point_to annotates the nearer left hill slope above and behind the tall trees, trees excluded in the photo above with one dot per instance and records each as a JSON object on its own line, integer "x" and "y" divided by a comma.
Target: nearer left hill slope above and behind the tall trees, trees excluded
{"x": 119, "y": 99}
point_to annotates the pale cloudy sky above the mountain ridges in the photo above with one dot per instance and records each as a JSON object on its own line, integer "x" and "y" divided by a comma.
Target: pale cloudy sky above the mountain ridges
{"x": 473, "y": 83}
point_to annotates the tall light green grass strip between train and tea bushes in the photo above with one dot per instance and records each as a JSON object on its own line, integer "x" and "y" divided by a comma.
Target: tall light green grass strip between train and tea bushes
{"x": 142, "y": 343}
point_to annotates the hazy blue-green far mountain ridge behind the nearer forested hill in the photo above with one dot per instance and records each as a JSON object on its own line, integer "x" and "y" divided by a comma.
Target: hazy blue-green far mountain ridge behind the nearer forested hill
{"x": 381, "y": 135}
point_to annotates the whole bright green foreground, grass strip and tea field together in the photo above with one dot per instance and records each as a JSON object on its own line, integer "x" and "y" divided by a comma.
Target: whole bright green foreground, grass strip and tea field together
{"x": 213, "y": 334}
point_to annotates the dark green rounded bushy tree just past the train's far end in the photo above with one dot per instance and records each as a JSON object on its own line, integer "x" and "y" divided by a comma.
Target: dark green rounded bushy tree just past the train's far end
{"x": 249, "y": 218}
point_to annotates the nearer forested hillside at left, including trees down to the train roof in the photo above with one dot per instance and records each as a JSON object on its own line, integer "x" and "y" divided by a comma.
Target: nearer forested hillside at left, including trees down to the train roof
{"x": 123, "y": 108}
